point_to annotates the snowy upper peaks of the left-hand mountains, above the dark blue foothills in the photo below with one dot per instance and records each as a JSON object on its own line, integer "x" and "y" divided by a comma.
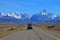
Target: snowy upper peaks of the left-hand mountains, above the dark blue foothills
{"x": 16, "y": 15}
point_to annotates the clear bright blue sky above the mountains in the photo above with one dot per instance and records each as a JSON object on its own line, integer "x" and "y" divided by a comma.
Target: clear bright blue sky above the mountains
{"x": 30, "y": 6}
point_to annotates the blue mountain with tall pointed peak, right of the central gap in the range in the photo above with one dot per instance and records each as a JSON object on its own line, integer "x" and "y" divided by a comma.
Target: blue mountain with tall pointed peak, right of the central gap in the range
{"x": 44, "y": 17}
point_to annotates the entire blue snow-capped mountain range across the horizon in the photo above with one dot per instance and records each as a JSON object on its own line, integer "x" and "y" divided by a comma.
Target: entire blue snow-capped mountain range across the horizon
{"x": 18, "y": 18}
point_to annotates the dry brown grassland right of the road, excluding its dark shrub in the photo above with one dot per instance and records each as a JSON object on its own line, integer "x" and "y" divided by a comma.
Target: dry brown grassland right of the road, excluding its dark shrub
{"x": 45, "y": 27}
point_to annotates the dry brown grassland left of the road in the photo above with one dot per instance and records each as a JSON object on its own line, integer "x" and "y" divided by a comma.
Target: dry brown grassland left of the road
{"x": 6, "y": 29}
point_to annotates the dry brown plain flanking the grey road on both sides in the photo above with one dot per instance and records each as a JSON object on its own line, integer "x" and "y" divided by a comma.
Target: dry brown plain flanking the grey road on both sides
{"x": 6, "y": 29}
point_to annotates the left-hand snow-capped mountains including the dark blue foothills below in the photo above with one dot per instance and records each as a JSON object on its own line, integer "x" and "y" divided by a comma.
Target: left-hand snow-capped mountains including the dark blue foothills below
{"x": 14, "y": 18}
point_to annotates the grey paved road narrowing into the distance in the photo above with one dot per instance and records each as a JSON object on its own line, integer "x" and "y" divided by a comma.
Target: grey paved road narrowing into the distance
{"x": 35, "y": 34}
